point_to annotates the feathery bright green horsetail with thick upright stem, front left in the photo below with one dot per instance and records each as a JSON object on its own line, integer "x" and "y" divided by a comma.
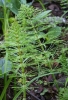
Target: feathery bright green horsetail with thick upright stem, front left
{"x": 21, "y": 42}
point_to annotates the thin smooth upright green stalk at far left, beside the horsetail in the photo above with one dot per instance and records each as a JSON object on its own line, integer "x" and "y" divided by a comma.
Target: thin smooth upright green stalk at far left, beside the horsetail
{"x": 5, "y": 25}
